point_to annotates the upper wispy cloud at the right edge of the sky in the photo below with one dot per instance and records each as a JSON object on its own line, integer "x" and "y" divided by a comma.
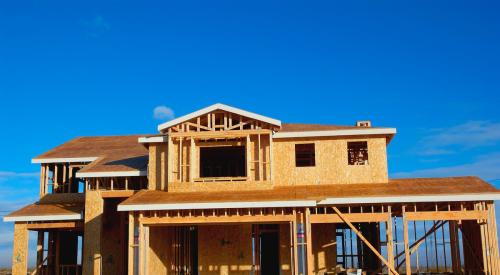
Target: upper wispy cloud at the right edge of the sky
{"x": 471, "y": 134}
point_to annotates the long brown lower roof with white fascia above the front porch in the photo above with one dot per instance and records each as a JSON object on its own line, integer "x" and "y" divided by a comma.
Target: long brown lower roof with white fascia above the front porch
{"x": 396, "y": 190}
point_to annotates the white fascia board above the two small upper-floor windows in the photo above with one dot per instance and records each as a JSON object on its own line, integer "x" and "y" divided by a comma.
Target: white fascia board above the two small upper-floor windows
{"x": 337, "y": 133}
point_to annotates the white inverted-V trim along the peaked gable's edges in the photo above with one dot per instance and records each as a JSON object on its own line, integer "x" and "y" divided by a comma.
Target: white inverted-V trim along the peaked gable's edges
{"x": 218, "y": 106}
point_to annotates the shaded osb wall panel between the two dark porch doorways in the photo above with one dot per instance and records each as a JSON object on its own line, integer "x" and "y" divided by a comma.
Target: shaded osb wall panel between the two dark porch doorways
{"x": 225, "y": 249}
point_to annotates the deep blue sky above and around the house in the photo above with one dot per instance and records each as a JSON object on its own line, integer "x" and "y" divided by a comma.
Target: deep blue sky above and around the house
{"x": 429, "y": 68}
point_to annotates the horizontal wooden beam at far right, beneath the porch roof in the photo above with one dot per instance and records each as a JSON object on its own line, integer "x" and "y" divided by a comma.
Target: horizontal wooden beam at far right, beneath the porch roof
{"x": 447, "y": 215}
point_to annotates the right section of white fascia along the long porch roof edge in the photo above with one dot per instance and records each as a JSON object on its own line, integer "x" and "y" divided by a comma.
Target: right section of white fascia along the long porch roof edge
{"x": 412, "y": 199}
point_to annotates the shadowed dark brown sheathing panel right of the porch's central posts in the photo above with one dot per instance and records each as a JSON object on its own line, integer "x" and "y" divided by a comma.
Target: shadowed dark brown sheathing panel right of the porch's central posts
{"x": 324, "y": 247}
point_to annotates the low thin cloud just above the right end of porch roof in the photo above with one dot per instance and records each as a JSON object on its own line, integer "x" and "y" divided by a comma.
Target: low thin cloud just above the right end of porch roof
{"x": 486, "y": 167}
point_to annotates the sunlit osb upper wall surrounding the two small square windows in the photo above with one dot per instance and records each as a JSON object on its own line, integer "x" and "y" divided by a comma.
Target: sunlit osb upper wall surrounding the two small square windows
{"x": 331, "y": 162}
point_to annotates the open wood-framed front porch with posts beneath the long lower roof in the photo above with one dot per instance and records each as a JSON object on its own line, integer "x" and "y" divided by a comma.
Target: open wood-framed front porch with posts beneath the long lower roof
{"x": 396, "y": 238}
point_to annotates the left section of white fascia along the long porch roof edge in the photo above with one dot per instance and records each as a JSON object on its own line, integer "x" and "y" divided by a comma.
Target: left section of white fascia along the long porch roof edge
{"x": 215, "y": 205}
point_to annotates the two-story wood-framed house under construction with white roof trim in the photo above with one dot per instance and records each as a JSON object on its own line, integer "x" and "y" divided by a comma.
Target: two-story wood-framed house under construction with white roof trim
{"x": 226, "y": 191}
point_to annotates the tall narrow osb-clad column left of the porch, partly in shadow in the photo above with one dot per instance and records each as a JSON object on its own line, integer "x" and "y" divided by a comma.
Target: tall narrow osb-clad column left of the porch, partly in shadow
{"x": 94, "y": 207}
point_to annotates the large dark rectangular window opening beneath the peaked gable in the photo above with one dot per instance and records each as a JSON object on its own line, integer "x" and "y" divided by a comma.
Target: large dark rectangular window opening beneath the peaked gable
{"x": 226, "y": 161}
